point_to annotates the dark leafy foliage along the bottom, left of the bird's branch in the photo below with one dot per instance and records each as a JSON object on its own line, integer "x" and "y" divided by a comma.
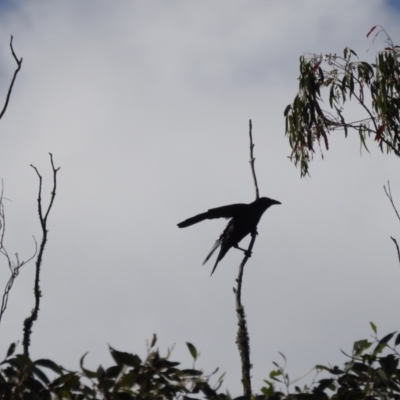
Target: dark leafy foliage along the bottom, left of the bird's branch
{"x": 130, "y": 377}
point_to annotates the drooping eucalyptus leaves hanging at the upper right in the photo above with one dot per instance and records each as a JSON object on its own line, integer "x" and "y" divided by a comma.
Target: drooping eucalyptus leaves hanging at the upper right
{"x": 339, "y": 79}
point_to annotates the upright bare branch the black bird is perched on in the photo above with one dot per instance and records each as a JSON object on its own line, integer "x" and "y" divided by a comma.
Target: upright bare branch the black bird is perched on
{"x": 242, "y": 338}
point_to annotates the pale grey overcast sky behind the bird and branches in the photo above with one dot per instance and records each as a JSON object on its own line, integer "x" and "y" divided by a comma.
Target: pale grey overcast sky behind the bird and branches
{"x": 145, "y": 107}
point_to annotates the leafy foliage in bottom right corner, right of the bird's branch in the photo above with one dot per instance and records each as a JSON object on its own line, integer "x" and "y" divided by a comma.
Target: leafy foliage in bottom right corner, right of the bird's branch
{"x": 371, "y": 372}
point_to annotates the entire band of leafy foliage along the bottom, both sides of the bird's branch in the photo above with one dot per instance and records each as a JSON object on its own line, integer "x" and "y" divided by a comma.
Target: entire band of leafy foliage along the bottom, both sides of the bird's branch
{"x": 371, "y": 372}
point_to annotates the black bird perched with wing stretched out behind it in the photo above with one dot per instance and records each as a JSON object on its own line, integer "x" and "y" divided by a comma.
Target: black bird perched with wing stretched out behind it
{"x": 245, "y": 218}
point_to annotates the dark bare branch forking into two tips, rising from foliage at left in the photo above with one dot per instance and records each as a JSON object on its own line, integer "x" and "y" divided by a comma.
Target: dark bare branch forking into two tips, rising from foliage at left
{"x": 43, "y": 222}
